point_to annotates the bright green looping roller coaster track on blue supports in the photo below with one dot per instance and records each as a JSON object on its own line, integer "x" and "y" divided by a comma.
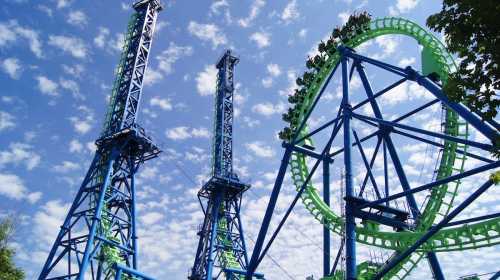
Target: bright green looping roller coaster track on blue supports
{"x": 440, "y": 201}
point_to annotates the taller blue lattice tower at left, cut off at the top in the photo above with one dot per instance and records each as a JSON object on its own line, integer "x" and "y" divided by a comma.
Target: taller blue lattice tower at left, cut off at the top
{"x": 98, "y": 239}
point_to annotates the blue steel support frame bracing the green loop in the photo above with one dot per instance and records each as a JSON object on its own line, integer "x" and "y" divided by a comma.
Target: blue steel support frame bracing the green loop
{"x": 385, "y": 129}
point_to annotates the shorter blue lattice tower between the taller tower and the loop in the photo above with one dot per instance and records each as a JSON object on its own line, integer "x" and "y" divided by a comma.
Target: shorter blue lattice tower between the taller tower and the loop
{"x": 221, "y": 252}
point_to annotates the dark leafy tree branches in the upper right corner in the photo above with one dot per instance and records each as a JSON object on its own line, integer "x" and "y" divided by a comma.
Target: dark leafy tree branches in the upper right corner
{"x": 472, "y": 31}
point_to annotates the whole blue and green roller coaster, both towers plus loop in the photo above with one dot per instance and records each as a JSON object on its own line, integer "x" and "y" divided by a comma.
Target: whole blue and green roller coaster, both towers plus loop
{"x": 98, "y": 239}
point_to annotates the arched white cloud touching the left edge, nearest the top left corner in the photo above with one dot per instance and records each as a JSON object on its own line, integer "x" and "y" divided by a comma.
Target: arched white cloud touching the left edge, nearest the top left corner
{"x": 11, "y": 31}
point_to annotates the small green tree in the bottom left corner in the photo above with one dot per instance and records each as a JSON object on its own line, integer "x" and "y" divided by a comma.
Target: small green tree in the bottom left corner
{"x": 8, "y": 271}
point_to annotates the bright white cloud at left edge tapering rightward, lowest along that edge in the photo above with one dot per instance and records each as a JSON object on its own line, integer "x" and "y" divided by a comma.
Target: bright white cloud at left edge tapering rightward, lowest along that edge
{"x": 13, "y": 187}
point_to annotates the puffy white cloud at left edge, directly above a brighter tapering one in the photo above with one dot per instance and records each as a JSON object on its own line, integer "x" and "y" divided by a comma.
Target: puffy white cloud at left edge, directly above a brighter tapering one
{"x": 19, "y": 153}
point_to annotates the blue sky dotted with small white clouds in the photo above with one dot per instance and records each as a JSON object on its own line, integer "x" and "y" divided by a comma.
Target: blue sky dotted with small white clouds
{"x": 56, "y": 68}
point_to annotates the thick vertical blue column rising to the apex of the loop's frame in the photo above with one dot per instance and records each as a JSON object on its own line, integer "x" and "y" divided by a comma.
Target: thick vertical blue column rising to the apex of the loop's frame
{"x": 350, "y": 233}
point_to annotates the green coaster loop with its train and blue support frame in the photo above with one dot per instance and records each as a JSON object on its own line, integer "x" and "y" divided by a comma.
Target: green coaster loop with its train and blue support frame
{"x": 410, "y": 233}
